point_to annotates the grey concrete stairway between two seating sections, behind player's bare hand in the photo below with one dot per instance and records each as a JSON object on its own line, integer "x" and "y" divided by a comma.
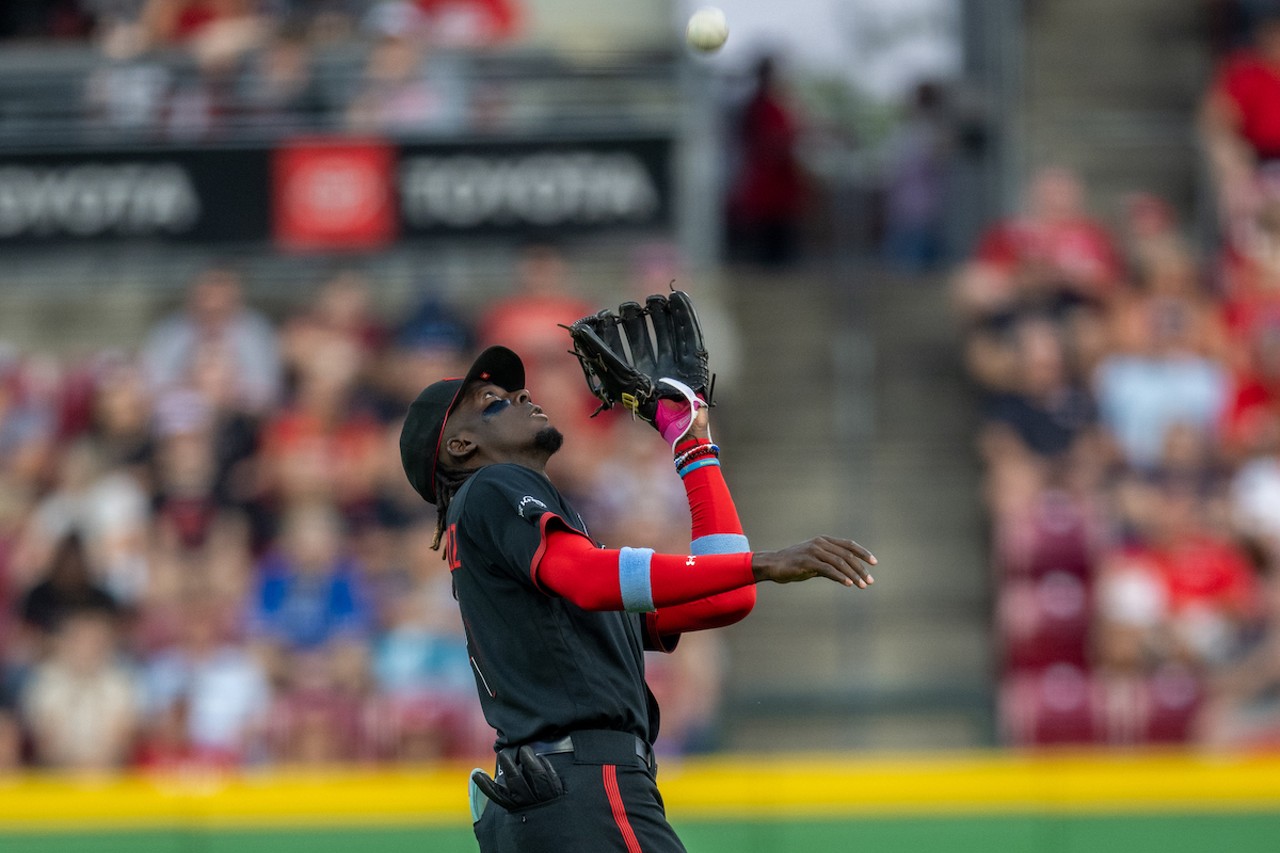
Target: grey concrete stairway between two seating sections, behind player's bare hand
{"x": 860, "y": 427}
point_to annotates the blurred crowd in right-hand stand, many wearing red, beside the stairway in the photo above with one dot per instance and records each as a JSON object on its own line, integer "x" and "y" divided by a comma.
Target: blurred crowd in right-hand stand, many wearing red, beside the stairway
{"x": 1131, "y": 437}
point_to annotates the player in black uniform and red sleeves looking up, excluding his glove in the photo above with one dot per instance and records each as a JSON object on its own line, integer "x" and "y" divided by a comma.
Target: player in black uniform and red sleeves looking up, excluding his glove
{"x": 557, "y": 626}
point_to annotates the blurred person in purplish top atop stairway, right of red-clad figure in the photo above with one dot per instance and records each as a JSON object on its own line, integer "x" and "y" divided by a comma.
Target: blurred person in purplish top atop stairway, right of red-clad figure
{"x": 917, "y": 183}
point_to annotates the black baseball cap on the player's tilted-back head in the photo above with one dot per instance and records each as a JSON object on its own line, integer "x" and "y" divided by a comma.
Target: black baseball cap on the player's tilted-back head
{"x": 424, "y": 425}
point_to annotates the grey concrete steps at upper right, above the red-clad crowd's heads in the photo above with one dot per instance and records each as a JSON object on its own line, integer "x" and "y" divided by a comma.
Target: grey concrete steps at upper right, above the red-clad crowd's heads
{"x": 1110, "y": 89}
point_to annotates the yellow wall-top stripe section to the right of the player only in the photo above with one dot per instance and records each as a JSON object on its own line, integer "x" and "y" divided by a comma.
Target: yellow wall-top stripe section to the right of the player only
{"x": 990, "y": 784}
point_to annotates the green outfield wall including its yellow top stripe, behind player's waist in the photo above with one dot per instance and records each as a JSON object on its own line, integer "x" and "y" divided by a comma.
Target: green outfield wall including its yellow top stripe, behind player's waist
{"x": 1063, "y": 804}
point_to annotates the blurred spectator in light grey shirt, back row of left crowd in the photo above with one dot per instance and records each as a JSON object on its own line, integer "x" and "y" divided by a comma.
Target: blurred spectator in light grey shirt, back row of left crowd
{"x": 216, "y": 313}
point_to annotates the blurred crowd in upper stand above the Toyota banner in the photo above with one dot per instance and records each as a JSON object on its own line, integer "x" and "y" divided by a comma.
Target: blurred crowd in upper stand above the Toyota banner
{"x": 195, "y": 71}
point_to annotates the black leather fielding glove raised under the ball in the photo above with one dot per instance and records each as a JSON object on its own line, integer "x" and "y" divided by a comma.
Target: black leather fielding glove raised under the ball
{"x": 639, "y": 355}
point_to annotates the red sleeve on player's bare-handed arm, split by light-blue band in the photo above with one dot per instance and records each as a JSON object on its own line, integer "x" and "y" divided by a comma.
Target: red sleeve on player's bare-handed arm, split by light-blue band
{"x": 573, "y": 568}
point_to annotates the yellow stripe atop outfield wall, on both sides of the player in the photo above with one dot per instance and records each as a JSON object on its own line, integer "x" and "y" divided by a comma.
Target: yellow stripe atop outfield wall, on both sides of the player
{"x": 728, "y": 787}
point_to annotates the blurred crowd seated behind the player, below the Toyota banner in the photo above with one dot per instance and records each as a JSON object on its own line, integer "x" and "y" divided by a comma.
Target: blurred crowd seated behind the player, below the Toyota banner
{"x": 209, "y": 556}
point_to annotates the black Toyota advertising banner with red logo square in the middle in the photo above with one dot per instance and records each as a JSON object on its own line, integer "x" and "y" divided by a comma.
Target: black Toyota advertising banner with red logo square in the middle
{"x": 336, "y": 194}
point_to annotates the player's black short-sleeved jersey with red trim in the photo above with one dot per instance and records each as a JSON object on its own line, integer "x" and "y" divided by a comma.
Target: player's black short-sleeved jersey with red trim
{"x": 543, "y": 667}
